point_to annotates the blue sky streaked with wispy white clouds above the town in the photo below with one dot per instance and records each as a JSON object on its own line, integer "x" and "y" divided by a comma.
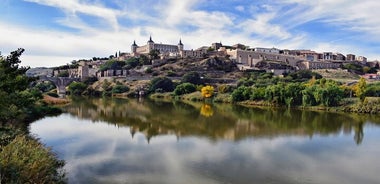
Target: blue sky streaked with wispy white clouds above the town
{"x": 56, "y": 32}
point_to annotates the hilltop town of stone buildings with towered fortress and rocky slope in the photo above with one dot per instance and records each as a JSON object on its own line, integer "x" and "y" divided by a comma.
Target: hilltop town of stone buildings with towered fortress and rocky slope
{"x": 217, "y": 60}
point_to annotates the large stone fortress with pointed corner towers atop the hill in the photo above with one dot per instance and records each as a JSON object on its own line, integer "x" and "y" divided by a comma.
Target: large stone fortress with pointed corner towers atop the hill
{"x": 165, "y": 50}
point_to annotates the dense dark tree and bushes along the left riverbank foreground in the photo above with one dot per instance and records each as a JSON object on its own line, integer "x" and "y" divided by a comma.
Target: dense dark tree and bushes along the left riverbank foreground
{"x": 22, "y": 158}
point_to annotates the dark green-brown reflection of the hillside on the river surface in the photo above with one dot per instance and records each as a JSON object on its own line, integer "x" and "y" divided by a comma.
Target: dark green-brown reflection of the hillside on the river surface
{"x": 216, "y": 121}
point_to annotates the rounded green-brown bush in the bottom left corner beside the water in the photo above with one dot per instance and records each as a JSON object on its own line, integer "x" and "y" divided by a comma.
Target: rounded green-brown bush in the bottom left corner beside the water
{"x": 25, "y": 160}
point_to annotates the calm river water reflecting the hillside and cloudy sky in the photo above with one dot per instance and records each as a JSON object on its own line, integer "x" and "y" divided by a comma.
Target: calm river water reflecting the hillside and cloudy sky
{"x": 131, "y": 141}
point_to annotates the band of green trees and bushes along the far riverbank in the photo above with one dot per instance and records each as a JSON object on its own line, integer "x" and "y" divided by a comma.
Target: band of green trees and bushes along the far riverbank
{"x": 299, "y": 89}
